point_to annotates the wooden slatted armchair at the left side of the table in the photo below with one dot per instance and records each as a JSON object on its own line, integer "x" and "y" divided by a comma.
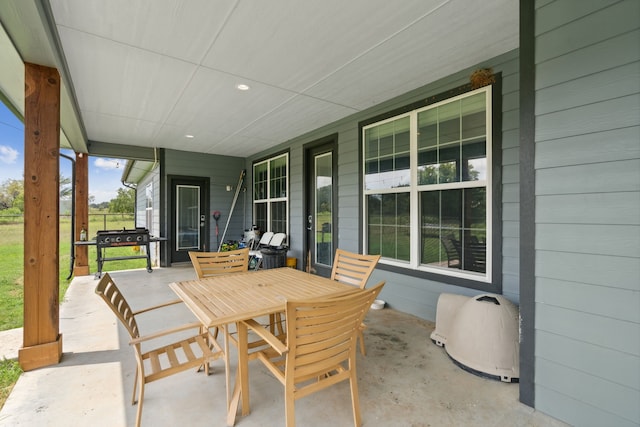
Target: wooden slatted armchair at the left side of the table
{"x": 168, "y": 359}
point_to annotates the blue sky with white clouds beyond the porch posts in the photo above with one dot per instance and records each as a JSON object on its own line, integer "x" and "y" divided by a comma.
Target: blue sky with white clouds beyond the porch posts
{"x": 104, "y": 173}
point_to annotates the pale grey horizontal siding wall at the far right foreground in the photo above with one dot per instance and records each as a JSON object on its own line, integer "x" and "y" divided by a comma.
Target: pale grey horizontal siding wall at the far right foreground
{"x": 587, "y": 240}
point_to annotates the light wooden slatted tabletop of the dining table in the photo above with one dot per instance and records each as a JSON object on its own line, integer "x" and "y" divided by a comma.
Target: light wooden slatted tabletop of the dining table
{"x": 225, "y": 299}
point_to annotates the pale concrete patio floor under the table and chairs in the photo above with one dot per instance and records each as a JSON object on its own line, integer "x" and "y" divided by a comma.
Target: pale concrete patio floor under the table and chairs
{"x": 405, "y": 379}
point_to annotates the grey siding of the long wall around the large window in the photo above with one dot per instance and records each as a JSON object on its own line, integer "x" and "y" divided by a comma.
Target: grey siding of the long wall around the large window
{"x": 414, "y": 295}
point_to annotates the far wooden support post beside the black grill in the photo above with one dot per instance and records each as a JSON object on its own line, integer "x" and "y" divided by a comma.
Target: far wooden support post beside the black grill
{"x": 81, "y": 265}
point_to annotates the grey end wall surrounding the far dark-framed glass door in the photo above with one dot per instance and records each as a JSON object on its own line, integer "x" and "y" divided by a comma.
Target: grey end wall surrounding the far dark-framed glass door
{"x": 221, "y": 171}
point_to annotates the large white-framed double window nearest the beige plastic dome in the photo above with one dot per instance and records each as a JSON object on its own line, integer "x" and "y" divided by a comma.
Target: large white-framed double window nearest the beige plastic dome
{"x": 427, "y": 187}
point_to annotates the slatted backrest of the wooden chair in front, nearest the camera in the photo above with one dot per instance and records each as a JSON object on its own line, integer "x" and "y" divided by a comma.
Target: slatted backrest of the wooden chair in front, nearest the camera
{"x": 322, "y": 333}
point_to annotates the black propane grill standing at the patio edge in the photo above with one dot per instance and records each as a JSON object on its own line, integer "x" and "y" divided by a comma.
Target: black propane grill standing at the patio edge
{"x": 117, "y": 238}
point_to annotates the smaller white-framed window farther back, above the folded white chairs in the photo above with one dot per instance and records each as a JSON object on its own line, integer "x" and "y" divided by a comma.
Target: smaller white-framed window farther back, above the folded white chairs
{"x": 270, "y": 194}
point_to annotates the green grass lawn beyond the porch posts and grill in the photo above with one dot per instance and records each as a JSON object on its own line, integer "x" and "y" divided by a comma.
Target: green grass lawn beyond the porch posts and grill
{"x": 12, "y": 255}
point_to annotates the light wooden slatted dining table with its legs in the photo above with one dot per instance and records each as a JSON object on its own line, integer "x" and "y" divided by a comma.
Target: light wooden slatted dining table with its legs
{"x": 223, "y": 300}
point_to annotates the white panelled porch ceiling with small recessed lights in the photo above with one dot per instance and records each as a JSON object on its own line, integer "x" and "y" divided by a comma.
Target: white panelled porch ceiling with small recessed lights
{"x": 149, "y": 72}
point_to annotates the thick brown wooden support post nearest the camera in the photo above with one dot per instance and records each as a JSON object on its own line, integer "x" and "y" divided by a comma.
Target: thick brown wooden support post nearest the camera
{"x": 42, "y": 342}
